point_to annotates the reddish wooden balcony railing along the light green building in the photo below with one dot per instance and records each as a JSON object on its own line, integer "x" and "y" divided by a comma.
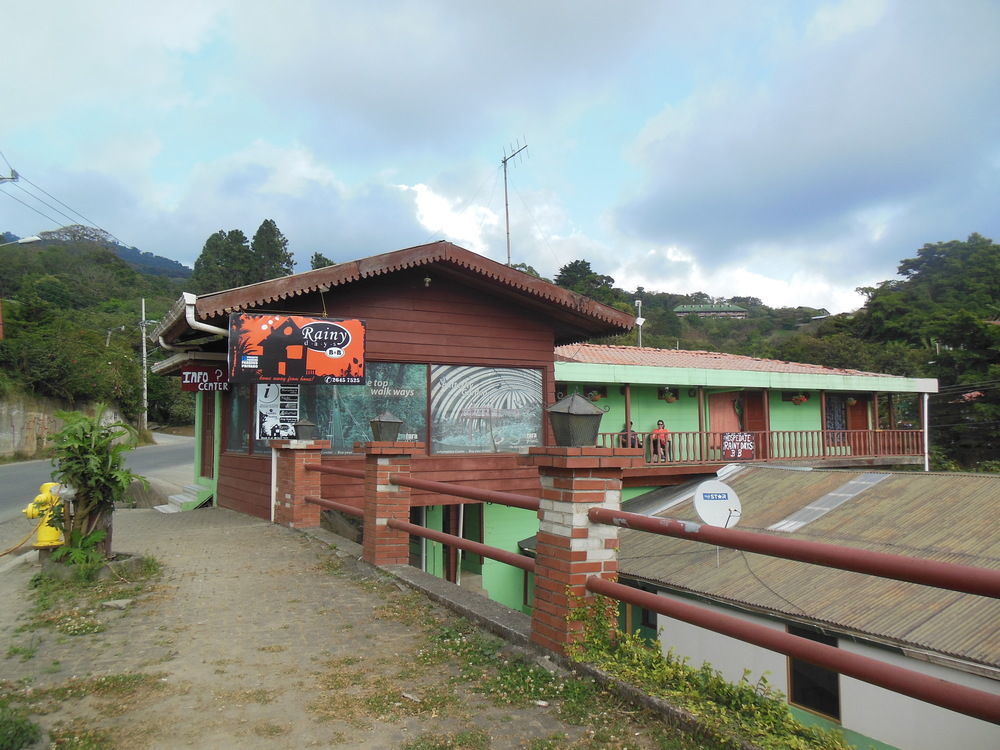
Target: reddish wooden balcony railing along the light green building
{"x": 714, "y": 447}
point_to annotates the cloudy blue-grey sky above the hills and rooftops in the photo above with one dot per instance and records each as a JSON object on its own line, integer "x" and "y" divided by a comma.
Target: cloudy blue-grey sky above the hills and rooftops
{"x": 784, "y": 149}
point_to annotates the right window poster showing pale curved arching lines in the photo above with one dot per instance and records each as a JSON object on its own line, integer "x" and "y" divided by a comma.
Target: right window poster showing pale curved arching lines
{"x": 485, "y": 409}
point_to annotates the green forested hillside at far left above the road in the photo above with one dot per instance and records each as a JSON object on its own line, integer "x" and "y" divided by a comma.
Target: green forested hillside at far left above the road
{"x": 71, "y": 315}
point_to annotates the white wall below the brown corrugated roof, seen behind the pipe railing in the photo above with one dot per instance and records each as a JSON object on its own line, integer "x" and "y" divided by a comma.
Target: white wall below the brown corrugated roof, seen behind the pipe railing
{"x": 867, "y": 712}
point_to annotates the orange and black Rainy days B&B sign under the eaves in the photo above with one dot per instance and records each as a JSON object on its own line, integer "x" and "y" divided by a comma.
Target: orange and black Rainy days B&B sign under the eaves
{"x": 295, "y": 349}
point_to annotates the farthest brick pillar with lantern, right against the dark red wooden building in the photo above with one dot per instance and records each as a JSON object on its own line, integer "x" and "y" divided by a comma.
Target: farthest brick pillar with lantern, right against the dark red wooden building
{"x": 292, "y": 482}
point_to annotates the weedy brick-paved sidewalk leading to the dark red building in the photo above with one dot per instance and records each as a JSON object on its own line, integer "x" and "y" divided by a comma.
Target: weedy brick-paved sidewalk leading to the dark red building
{"x": 256, "y": 645}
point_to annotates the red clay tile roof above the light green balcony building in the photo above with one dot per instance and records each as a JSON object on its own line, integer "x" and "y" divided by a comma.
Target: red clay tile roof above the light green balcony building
{"x": 680, "y": 358}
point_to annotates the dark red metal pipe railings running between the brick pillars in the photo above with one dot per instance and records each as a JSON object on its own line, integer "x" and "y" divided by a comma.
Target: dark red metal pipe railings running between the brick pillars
{"x": 984, "y": 582}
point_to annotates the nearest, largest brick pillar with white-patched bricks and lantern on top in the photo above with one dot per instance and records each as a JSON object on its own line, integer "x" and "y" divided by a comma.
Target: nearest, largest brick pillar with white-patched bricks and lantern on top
{"x": 570, "y": 547}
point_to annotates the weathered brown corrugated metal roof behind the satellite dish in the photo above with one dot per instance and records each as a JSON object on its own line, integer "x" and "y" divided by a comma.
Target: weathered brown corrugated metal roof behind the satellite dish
{"x": 946, "y": 517}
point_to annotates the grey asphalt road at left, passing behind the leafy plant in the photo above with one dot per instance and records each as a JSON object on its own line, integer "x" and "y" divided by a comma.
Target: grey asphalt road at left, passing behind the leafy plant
{"x": 19, "y": 482}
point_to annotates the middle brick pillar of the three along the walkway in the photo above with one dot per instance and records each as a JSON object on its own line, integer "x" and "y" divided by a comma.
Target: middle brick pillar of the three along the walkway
{"x": 383, "y": 500}
